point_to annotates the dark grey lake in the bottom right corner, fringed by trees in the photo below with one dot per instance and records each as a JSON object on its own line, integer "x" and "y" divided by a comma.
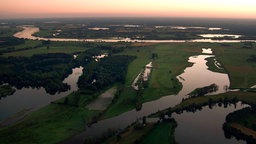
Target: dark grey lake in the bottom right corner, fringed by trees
{"x": 204, "y": 126}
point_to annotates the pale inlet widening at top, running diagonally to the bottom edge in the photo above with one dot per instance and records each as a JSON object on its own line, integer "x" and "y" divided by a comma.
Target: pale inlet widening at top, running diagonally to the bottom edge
{"x": 193, "y": 77}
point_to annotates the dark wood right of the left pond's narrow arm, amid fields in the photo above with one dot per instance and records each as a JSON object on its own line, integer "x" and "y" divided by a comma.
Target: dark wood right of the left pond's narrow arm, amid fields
{"x": 98, "y": 75}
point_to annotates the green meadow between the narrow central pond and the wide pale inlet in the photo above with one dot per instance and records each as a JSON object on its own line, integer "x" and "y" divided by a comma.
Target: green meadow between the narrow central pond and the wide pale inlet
{"x": 171, "y": 61}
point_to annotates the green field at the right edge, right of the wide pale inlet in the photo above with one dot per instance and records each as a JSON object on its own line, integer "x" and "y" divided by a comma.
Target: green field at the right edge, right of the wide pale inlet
{"x": 234, "y": 60}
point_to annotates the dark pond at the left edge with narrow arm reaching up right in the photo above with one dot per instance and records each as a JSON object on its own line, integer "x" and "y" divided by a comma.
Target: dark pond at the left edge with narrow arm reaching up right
{"x": 29, "y": 99}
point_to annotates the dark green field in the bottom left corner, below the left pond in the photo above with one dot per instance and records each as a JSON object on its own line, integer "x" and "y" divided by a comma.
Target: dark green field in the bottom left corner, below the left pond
{"x": 51, "y": 124}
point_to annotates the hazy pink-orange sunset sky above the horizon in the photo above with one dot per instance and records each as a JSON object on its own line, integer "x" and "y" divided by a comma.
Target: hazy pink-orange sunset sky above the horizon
{"x": 132, "y": 8}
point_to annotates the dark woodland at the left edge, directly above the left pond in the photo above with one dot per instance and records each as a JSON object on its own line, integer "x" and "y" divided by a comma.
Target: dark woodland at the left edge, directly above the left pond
{"x": 45, "y": 70}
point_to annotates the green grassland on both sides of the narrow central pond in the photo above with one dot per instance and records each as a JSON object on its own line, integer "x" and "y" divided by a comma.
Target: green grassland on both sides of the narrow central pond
{"x": 171, "y": 61}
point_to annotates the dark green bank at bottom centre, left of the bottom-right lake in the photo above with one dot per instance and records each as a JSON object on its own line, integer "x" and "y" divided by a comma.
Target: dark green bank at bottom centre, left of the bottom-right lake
{"x": 152, "y": 133}
